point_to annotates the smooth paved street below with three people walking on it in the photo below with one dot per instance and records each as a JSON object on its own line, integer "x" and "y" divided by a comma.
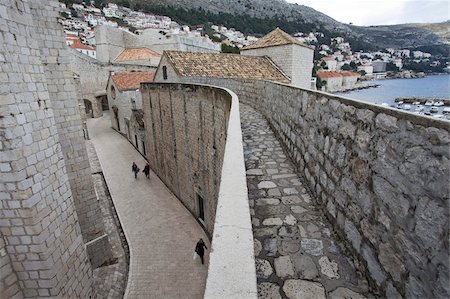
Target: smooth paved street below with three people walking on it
{"x": 161, "y": 233}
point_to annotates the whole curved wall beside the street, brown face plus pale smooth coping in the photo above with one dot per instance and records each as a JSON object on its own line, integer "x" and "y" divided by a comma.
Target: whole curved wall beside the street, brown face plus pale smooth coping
{"x": 194, "y": 141}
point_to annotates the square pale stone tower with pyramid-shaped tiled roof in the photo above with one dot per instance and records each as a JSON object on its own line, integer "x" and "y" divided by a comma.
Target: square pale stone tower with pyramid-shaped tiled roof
{"x": 292, "y": 56}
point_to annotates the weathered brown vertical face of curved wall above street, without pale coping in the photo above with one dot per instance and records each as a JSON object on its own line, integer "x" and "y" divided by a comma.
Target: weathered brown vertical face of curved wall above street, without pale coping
{"x": 186, "y": 133}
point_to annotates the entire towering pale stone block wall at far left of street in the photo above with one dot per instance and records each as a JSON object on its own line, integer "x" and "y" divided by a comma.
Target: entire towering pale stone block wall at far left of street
{"x": 51, "y": 229}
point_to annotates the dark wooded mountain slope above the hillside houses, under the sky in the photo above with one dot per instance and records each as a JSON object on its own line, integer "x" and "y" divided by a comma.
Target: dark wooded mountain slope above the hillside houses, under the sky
{"x": 260, "y": 16}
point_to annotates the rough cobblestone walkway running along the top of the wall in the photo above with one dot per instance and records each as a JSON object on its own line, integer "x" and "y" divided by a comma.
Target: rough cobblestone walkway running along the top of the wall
{"x": 296, "y": 256}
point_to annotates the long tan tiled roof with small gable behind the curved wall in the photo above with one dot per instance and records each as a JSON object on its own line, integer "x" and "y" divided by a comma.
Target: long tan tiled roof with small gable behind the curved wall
{"x": 175, "y": 65}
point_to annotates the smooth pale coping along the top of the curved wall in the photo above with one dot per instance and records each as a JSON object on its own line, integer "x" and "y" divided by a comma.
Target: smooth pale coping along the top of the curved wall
{"x": 231, "y": 272}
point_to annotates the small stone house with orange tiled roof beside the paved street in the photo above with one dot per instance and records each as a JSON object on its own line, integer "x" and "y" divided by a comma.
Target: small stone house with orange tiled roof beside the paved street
{"x": 125, "y": 104}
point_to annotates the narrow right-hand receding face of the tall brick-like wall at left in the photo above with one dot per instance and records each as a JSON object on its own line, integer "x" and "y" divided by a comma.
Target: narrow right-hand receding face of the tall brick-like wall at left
{"x": 64, "y": 100}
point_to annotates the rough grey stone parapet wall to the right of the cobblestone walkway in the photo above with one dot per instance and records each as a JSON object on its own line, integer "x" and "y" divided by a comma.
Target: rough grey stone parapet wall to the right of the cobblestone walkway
{"x": 381, "y": 175}
